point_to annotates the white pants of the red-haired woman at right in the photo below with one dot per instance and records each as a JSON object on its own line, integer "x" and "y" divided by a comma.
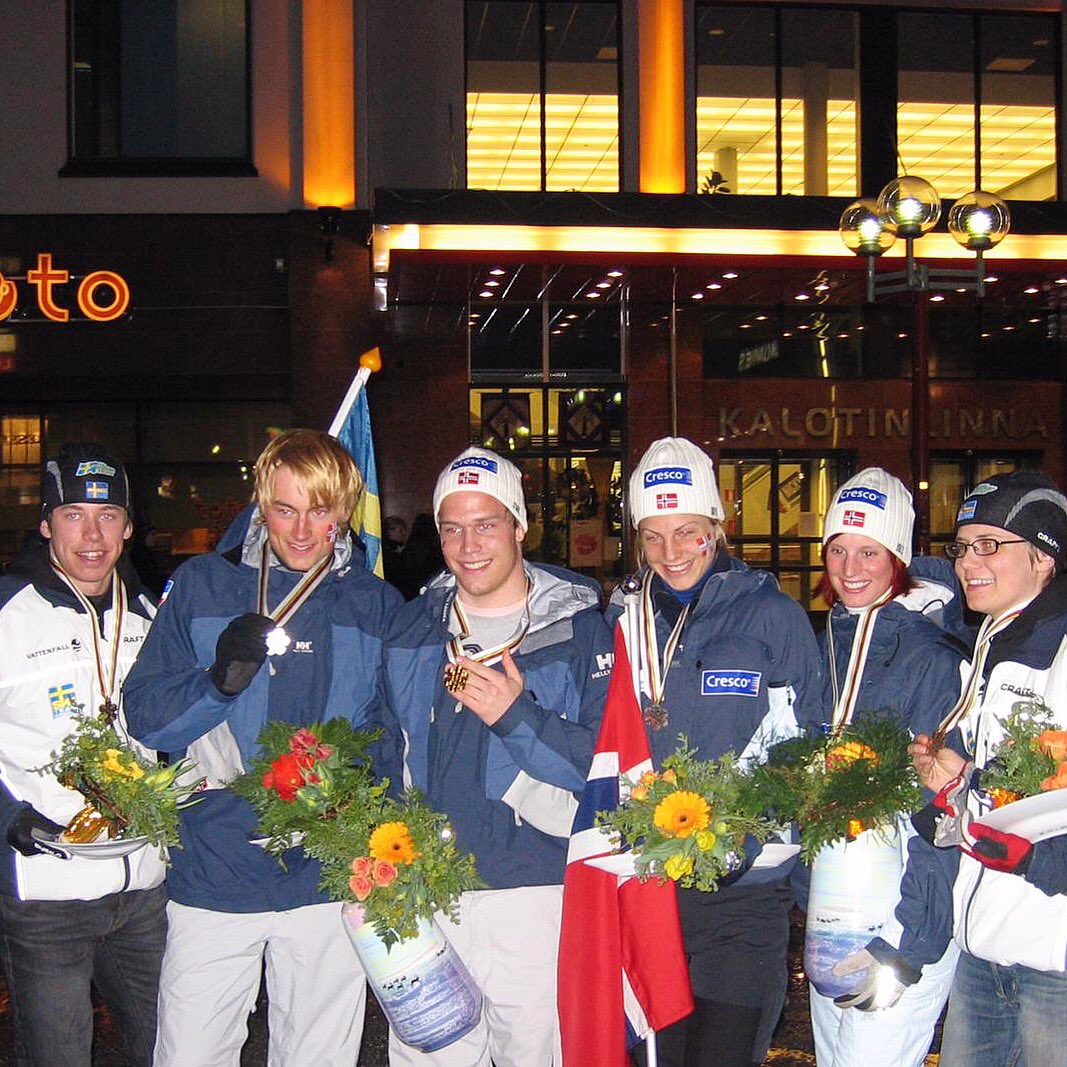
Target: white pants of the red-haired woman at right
{"x": 899, "y": 1037}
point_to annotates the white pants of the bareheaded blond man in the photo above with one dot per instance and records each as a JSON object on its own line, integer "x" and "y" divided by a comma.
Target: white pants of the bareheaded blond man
{"x": 211, "y": 980}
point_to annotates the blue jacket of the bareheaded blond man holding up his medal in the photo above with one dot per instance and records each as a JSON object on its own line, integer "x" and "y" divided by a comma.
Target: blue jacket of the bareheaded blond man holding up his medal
{"x": 331, "y": 671}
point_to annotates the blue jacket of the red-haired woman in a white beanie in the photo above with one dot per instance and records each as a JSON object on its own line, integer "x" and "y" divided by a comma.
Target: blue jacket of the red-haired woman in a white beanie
{"x": 913, "y": 675}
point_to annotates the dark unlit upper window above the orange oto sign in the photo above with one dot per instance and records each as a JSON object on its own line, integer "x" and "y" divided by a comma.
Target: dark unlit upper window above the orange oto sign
{"x": 160, "y": 89}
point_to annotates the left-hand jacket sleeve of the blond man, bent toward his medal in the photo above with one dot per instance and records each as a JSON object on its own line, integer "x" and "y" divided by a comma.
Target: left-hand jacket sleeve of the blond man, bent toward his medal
{"x": 169, "y": 697}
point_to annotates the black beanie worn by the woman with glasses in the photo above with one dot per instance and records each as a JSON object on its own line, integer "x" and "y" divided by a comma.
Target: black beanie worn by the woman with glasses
{"x": 1025, "y": 503}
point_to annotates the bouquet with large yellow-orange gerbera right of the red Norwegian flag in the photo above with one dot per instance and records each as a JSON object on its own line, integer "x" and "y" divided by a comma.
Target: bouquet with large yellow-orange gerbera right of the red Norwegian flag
{"x": 689, "y": 822}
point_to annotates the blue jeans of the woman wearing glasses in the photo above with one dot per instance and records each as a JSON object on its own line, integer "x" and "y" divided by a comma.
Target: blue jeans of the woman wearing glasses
{"x": 1006, "y": 1017}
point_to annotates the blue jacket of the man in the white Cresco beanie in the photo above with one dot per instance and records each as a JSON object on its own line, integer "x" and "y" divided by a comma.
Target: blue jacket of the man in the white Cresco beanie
{"x": 507, "y": 789}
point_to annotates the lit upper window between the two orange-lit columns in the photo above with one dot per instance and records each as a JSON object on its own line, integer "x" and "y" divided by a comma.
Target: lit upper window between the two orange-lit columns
{"x": 543, "y": 95}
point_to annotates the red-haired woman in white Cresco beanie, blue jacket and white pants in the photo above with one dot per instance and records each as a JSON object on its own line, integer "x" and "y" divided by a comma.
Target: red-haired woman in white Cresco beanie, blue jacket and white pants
{"x": 882, "y": 655}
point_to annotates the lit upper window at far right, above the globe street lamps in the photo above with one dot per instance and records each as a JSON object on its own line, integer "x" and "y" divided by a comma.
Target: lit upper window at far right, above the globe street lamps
{"x": 977, "y": 103}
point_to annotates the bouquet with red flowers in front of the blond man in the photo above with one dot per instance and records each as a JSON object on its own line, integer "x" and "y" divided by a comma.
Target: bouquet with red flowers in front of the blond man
{"x": 307, "y": 774}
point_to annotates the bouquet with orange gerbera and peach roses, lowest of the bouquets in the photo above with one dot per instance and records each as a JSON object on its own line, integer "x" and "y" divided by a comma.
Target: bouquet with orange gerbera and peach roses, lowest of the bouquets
{"x": 396, "y": 858}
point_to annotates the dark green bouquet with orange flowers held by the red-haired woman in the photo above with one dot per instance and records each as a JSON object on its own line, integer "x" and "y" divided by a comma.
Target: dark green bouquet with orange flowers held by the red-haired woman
{"x": 859, "y": 778}
